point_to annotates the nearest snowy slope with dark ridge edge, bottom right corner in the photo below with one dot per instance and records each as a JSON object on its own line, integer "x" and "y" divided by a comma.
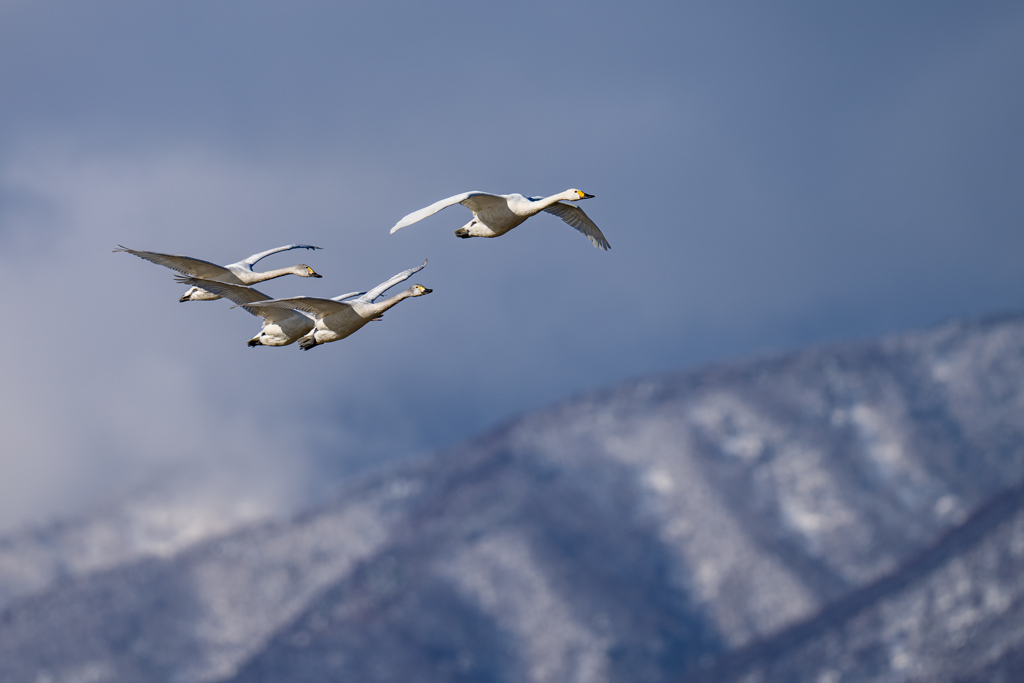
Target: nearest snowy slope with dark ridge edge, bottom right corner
{"x": 954, "y": 614}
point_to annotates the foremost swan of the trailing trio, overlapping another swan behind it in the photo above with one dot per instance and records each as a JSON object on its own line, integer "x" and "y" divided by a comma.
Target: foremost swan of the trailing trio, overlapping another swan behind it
{"x": 337, "y": 320}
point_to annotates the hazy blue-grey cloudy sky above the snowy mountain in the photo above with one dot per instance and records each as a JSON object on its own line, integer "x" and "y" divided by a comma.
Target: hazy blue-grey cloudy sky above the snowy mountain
{"x": 770, "y": 176}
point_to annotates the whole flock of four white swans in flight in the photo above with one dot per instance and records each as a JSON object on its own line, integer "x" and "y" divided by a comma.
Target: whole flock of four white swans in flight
{"x": 312, "y": 321}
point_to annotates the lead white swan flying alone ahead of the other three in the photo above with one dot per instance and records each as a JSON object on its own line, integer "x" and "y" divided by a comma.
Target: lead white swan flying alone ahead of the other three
{"x": 497, "y": 215}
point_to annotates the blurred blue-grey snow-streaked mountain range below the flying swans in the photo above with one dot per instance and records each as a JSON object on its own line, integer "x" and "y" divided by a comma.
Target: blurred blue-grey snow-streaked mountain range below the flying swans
{"x": 825, "y": 516}
